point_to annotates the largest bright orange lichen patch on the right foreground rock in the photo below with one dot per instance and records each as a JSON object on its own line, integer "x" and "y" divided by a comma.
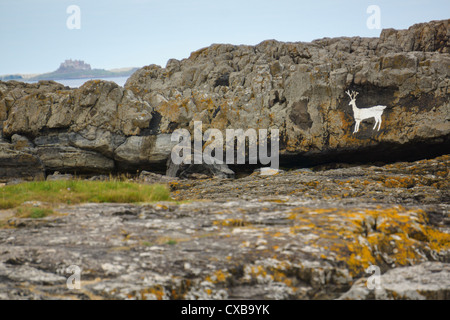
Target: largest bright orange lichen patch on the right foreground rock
{"x": 359, "y": 238}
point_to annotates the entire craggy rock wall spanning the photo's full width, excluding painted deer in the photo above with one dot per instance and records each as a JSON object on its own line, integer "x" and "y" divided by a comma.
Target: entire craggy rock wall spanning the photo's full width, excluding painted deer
{"x": 298, "y": 88}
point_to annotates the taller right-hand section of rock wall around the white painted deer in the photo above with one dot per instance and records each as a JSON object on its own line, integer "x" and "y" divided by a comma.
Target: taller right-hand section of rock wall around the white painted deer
{"x": 299, "y": 89}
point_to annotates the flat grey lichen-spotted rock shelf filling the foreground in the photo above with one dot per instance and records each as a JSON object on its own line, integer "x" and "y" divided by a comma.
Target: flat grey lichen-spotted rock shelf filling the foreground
{"x": 299, "y": 234}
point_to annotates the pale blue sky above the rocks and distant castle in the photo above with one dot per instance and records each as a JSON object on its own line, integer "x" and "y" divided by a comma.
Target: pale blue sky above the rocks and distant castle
{"x": 34, "y": 37}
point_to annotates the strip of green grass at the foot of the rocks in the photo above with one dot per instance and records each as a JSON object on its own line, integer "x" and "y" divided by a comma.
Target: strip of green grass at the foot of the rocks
{"x": 81, "y": 191}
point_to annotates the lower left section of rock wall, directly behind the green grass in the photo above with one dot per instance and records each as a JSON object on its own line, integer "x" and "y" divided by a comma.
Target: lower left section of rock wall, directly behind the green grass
{"x": 94, "y": 128}
